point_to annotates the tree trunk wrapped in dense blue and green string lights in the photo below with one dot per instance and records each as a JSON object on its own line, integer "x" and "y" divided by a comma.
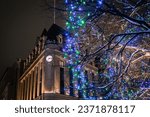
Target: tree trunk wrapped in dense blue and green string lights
{"x": 77, "y": 22}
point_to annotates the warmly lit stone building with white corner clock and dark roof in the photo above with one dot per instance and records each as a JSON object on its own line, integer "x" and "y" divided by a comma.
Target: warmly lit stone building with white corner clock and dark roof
{"x": 44, "y": 72}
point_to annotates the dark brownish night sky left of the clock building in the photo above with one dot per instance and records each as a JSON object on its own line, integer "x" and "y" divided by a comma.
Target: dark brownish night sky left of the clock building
{"x": 21, "y": 21}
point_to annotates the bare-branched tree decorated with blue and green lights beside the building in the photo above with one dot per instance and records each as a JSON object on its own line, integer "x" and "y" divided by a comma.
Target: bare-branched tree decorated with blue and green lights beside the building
{"x": 115, "y": 35}
